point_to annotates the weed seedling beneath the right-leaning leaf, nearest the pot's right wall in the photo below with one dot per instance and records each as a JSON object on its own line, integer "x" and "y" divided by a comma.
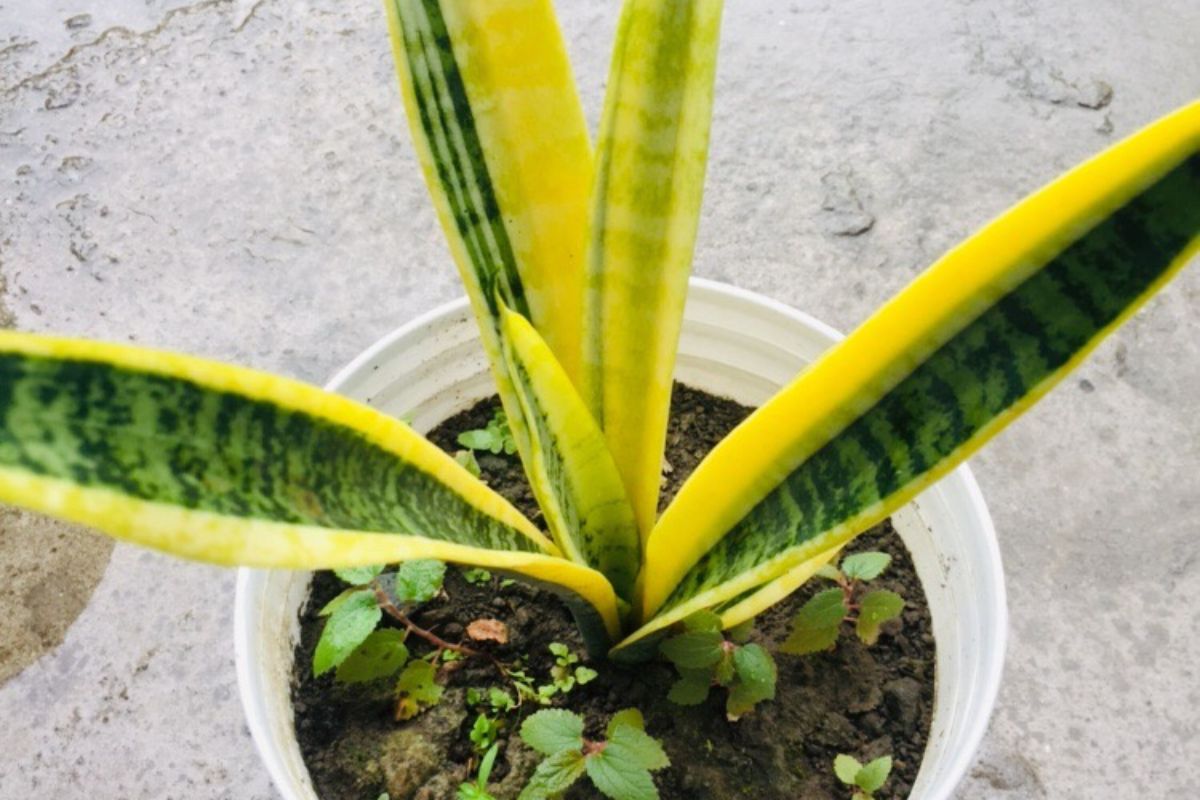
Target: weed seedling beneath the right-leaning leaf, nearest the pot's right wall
{"x": 819, "y": 623}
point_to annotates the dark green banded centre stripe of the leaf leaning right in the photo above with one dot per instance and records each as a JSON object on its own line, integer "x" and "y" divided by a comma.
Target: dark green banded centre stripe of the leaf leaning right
{"x": 995, "y": 362}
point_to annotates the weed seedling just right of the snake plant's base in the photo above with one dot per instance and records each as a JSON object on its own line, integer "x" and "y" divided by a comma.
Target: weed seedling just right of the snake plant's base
{"x": 706, "y": 659}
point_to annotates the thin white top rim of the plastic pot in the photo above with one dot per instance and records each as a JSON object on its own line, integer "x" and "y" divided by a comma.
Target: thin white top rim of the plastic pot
{"x": 987, "y": 679}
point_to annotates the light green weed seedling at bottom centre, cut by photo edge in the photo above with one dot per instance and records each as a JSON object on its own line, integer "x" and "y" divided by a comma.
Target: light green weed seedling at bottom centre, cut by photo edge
{"x": 620, "y": 767}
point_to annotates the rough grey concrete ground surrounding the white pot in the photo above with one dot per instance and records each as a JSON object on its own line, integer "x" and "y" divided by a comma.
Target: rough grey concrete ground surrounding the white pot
{"x": 235, "y": 179}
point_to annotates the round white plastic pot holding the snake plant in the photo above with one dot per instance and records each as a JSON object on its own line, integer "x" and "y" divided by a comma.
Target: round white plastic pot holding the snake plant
{"x": 736, "y": 345}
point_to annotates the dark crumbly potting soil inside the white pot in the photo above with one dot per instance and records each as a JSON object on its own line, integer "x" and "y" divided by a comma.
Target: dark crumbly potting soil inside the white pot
{"x": 866, "y": 702}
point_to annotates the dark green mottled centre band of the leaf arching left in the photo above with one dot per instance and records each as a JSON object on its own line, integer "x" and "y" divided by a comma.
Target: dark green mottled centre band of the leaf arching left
{"x": 170, "y": 441}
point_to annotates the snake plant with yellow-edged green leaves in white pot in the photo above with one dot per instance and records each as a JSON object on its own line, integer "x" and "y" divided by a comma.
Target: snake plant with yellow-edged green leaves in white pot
{"x": 577, "y": 268}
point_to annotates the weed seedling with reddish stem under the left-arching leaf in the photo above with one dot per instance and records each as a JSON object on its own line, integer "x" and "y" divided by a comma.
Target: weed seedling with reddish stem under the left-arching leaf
{"x": 353, "y": 645}
